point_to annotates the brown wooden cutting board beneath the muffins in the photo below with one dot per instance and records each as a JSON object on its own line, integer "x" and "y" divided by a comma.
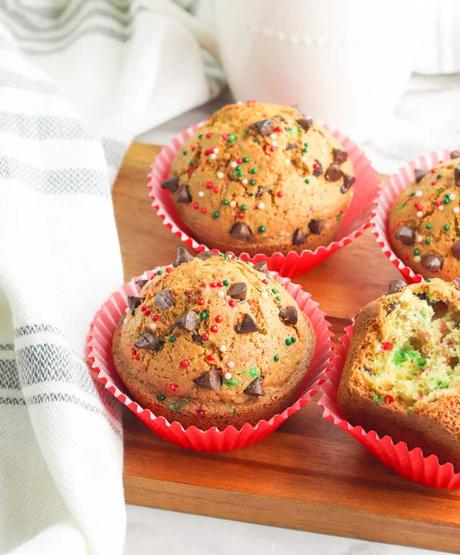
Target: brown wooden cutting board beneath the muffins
{"x": 308, "y": 475}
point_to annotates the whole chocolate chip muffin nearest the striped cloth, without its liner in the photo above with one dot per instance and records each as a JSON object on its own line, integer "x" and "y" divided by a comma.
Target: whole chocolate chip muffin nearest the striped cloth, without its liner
{"x": 213, "y": 341}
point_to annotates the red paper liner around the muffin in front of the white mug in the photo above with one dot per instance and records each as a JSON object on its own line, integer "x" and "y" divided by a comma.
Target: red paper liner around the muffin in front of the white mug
{"x": 293, "y": 263}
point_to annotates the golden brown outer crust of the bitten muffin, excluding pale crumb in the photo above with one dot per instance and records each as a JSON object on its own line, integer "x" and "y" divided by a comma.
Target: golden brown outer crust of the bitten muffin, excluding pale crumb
{"x": 432, "y": 426}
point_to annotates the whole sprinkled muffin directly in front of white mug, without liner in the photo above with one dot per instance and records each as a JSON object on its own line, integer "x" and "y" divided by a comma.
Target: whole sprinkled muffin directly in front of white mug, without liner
{"x": 261, "y": 178}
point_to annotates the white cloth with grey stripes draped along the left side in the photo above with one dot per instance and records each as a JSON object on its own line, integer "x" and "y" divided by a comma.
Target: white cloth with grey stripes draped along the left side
{"x": 121, "y": 68}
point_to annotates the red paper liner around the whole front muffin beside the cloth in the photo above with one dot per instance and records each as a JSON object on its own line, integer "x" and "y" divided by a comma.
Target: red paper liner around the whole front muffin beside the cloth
{"x": 100, "y": 362}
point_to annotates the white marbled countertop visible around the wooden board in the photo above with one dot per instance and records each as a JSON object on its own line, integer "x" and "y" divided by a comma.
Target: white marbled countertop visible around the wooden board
{"x": 427, "y": 118}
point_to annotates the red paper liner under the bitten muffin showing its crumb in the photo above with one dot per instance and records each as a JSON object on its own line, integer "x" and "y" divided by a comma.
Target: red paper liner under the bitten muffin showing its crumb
{"x": 409, "y": 463}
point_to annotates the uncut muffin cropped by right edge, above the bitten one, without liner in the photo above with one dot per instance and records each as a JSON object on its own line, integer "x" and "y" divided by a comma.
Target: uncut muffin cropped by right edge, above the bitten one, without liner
{"x": 424, "y": 222}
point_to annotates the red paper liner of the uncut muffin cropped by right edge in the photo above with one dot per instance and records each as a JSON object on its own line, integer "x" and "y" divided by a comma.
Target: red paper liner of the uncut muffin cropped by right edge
{"x": 392, "y": 187}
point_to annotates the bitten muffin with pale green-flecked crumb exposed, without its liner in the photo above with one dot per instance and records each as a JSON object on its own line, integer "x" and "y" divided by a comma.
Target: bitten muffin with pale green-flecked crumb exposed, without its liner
{"x": 402, "y": 373}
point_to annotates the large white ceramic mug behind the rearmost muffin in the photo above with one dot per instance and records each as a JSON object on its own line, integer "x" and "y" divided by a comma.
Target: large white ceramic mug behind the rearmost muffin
{"x": 345, "y": 62}
